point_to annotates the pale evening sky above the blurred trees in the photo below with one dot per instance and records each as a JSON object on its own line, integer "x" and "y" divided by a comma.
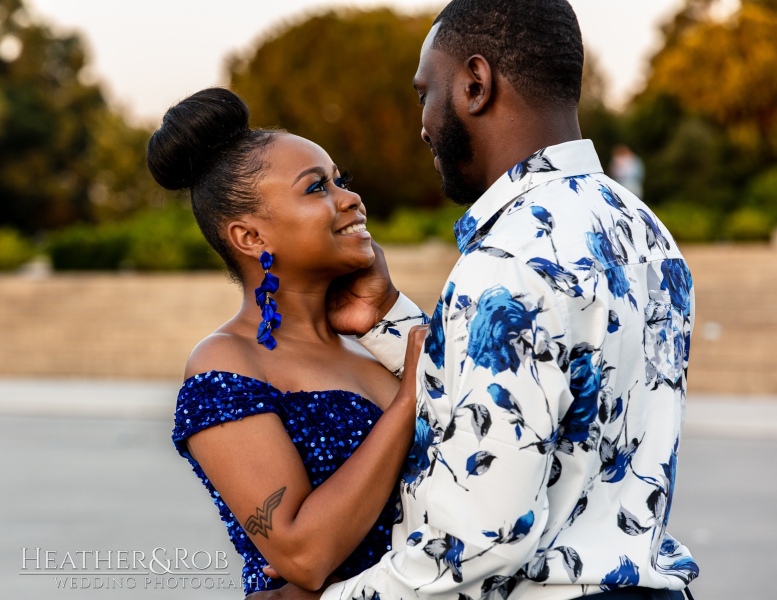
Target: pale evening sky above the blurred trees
{"x": 151, "y": 53}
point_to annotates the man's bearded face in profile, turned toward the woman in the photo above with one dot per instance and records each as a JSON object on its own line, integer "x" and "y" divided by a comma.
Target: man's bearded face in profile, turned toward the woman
{"x": 443, "y": 129}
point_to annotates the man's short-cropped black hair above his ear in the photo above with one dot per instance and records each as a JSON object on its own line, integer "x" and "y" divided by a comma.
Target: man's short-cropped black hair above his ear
{"x": 535, "y": 44}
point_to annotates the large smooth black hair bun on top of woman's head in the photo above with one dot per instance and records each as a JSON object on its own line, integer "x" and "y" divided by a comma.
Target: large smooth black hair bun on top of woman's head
{"x": 192, "y": 133}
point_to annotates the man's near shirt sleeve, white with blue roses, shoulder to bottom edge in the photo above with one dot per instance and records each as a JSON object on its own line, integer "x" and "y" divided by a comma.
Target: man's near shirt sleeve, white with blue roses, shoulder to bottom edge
{"x": 475, "y": 490}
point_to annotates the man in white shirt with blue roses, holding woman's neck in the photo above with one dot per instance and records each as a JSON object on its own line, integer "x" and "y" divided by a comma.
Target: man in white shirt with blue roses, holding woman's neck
{"x": 553, "y": 374}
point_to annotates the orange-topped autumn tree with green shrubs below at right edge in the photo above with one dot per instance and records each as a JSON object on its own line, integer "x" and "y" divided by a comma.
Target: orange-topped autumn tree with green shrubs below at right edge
{"x": 706, "y": 122}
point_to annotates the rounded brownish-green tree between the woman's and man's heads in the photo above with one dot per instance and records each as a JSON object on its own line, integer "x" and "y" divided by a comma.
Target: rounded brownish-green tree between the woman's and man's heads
{"x": 345, "y": 81}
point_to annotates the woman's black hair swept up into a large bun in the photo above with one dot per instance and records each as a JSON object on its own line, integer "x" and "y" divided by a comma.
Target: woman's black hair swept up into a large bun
{"x": 206, "y": 146}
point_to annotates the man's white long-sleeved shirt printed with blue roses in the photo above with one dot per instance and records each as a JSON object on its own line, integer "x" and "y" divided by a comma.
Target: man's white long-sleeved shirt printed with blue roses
{"x": 552, "y": 389}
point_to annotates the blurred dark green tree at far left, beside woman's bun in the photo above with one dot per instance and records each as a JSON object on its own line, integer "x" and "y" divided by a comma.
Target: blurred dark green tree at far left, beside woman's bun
{"x": 64, "y": 155}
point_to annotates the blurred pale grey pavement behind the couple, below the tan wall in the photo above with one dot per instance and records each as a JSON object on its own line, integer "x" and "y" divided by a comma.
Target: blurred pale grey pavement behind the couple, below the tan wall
{"x": 91, "y": 485}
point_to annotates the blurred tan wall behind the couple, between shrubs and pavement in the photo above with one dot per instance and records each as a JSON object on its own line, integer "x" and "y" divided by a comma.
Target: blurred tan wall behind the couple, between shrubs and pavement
{"x": 143, "y": 326}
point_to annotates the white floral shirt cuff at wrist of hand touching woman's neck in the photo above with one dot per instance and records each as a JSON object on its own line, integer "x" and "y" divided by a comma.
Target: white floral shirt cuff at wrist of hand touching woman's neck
{"x": 388, "y": 339}
